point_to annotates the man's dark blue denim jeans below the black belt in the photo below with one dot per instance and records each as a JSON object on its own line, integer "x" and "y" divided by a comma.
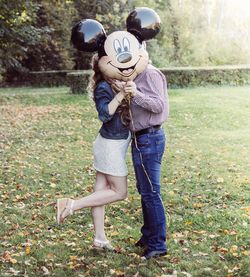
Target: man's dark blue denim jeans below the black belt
{"x": 148, "y": 158}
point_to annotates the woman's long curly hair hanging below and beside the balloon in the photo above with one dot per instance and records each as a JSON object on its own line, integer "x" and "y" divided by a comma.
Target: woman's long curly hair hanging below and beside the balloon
{"x": 97, "y": 77}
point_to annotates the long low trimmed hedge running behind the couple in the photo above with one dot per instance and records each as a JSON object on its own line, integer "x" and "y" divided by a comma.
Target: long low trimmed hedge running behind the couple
{"x": 178, "y": 77}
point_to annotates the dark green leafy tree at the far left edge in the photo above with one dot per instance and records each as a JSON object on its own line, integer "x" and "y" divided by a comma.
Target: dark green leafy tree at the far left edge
{"x": 17, "y": 33}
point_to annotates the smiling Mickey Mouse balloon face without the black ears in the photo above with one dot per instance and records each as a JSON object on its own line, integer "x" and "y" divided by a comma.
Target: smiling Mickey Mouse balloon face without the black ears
{"x": 125, "y": 56}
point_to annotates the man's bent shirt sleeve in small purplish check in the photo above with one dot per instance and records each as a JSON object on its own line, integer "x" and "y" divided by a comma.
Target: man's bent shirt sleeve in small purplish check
{"x": 154, "y": 99}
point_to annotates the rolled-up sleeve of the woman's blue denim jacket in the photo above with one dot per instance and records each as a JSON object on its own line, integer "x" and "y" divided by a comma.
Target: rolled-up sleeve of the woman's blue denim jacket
{"x": 102, "y": 99}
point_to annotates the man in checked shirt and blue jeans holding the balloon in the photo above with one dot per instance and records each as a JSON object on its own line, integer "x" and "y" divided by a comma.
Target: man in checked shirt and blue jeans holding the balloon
{"x": 149, "y": 107}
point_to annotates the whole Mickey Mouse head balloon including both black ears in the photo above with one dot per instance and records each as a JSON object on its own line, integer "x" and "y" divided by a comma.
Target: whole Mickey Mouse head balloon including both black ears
{"x": 122, "y": 54}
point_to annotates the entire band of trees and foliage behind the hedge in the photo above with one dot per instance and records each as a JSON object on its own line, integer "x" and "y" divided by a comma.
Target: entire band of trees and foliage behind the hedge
{"x": 35, "y": 34}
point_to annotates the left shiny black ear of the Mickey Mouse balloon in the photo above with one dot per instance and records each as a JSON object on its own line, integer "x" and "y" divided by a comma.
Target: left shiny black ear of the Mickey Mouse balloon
{"x": 88, "y": 35}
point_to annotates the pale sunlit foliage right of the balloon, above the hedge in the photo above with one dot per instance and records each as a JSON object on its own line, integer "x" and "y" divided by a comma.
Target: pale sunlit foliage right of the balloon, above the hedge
{"x": 199, "y": 33}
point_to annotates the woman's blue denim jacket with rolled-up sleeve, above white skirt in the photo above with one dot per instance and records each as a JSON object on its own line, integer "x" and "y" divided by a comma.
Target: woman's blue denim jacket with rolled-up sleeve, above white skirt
{"x": 112, "y": 127}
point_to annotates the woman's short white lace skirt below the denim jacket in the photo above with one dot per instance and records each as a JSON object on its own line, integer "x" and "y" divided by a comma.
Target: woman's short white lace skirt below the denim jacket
{"x": 110, "y": 155}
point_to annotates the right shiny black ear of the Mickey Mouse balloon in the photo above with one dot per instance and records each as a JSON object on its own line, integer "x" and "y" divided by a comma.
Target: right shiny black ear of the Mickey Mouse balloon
{"x": 144, "y": 23}
